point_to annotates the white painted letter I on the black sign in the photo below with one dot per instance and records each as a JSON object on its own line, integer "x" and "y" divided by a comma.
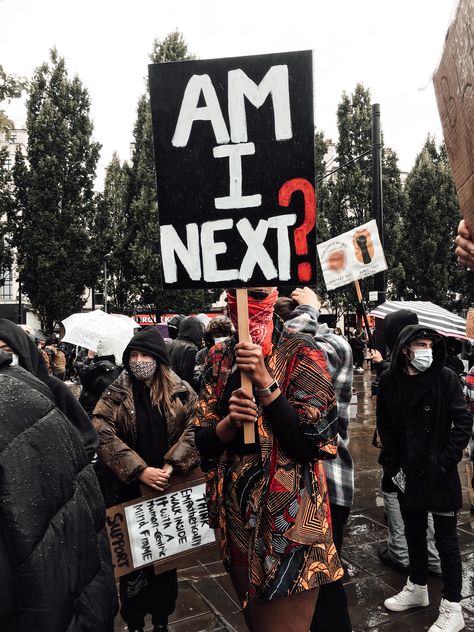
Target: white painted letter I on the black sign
{"x": 235, "y": 199}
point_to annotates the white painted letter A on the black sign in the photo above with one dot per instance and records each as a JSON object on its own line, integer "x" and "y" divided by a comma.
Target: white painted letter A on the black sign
{"x": 190, "y": 112}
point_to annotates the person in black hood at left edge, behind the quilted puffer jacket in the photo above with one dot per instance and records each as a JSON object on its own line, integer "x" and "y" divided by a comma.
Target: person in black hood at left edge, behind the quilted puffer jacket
{"x": 24, "y": 352}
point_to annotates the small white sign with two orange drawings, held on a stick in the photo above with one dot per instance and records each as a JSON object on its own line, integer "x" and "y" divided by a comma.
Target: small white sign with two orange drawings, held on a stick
{"x": 353, "y": 255}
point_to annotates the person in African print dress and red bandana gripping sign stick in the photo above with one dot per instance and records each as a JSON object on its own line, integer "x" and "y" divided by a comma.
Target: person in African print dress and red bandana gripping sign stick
{"x": 269, "y": 498}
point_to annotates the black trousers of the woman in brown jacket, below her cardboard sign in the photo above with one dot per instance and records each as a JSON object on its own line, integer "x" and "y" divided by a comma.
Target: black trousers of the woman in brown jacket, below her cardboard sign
{"x": 143, "y": 592}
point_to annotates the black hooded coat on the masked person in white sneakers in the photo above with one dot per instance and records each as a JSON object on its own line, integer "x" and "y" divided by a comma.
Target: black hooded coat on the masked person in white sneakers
{"x": 427, "y": 435}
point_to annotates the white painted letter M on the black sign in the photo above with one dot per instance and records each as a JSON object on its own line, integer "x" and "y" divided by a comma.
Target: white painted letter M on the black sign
{"x": 275, "y": 83}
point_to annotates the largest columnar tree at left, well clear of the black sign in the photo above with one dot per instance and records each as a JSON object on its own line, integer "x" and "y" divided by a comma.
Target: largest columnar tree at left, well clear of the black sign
{"x": 56, "y": 205}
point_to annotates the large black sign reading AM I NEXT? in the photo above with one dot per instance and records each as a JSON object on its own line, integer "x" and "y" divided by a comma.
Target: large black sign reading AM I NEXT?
{"x": 235, "y": 170}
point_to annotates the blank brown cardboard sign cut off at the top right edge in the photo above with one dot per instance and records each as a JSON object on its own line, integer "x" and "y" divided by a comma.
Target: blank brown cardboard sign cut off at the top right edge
{"x": 454, "y": 87}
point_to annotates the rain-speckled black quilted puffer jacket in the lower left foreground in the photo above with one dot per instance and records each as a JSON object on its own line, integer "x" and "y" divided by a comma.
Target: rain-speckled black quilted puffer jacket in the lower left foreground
{"x": 55, "y": 566}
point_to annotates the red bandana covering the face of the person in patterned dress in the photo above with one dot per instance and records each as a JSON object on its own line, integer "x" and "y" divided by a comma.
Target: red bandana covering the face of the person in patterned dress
{"x": 260, "y": 319}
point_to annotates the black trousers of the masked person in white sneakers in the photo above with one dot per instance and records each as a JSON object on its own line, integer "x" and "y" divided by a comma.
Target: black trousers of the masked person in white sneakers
{"x": 447, "y": 543}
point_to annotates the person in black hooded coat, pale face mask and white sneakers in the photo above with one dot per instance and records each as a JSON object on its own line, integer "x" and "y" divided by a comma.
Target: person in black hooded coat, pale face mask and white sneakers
{"x": 424, "y": 425}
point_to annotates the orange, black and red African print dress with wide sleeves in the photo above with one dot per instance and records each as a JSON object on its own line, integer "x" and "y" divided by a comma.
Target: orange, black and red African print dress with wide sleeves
{"x": 272, "y": 511}
